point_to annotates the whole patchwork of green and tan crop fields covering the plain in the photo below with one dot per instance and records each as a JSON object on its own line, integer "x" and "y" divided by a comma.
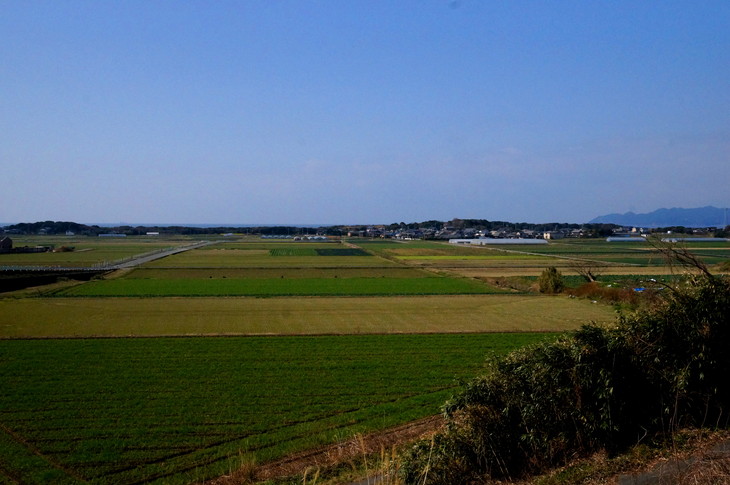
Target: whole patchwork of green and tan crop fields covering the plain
{"x": 249, "y": 349}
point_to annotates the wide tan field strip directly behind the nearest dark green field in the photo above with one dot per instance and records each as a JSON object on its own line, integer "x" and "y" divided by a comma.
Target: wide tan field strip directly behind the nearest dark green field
{"x": 110, "y": 317}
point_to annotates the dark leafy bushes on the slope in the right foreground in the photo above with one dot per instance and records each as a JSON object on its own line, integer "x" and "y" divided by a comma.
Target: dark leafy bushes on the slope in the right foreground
{"x": 599, "y": 388}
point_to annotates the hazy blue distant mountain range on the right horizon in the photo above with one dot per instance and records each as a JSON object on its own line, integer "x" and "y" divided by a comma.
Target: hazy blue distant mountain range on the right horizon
{"x": 700, "y": 217}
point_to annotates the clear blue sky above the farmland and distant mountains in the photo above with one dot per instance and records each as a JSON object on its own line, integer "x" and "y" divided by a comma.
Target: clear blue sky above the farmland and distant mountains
{"x": 329, "y": 112}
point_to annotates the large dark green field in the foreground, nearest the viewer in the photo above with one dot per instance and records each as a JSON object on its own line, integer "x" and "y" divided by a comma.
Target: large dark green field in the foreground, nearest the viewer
{"x": 188, "y": 409}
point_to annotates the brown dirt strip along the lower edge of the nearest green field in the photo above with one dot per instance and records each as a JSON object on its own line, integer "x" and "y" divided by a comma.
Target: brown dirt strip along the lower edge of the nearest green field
{"x": 334, "y": 454}
